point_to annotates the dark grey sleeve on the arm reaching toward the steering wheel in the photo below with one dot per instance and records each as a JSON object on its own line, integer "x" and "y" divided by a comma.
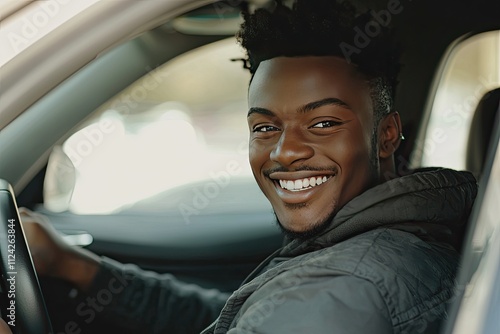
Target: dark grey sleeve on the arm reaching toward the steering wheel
{"x": 139, "y": 301}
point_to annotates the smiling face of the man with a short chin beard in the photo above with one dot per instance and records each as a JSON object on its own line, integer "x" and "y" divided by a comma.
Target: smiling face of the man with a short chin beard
{"x": 311, "y": 123}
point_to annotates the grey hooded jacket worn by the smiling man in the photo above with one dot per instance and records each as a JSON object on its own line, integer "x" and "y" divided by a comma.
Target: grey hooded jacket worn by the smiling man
{"x": 385, "y": 264}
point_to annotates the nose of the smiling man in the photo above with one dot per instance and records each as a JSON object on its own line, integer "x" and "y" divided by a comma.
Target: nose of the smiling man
{"x": 292, "y": 147}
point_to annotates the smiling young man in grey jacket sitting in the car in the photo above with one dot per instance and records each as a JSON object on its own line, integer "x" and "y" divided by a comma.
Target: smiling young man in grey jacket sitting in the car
{"x": 365, "y": 251}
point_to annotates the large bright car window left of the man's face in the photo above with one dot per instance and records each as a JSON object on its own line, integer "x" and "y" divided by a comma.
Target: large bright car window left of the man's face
{"x": 182, "y": 123}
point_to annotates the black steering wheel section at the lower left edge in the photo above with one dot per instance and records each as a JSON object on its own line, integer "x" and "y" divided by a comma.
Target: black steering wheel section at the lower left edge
{"x": 22, "y": 304}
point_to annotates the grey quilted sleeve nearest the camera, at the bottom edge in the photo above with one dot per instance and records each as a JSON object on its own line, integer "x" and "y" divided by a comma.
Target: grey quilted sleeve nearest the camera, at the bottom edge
{"x": 342, "y": 304}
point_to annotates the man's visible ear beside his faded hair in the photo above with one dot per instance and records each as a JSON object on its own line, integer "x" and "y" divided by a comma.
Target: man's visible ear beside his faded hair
{"x": 390, "y": 134}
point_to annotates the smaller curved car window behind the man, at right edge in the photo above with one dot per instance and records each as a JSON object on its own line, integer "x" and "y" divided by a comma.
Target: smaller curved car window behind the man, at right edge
{"x": 471, "y": 70}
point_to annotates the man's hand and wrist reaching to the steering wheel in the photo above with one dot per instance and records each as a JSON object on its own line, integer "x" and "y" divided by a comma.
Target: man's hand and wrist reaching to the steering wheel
{"x": 52, "y": 256}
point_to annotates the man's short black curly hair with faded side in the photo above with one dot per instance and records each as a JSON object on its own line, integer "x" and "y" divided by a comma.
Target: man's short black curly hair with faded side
{"x": 325, "y": 28}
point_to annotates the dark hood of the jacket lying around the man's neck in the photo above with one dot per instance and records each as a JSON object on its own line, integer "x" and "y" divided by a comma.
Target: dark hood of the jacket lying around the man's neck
{"x": 433, "y": 203}
